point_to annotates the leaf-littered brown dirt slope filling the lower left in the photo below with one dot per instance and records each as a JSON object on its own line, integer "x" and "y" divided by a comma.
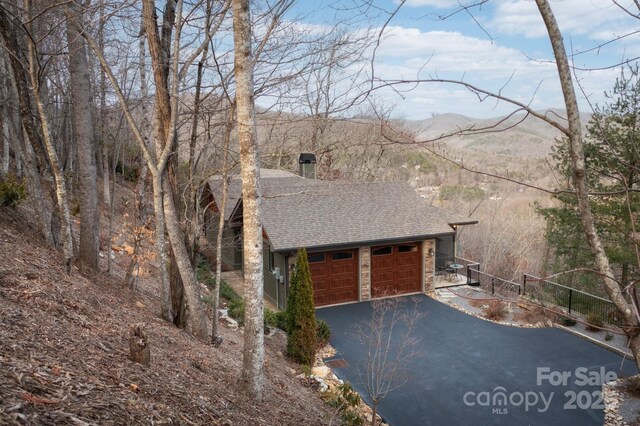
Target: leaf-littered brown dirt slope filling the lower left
{"x": 64, "y": 356}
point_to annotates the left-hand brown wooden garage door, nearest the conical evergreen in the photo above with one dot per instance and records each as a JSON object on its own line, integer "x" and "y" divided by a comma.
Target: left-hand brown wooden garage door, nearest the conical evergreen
{"x": 335, "y": 276}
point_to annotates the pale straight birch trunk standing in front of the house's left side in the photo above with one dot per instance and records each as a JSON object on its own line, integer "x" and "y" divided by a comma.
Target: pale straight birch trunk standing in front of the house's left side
{"x": 253, "y": 356}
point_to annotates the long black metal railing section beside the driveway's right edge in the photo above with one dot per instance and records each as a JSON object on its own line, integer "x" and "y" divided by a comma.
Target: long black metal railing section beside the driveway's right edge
{"x": 574, "y": 301}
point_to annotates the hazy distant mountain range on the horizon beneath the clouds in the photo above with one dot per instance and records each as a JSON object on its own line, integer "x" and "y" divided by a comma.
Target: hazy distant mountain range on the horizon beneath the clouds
{"x": 515, "y": 136}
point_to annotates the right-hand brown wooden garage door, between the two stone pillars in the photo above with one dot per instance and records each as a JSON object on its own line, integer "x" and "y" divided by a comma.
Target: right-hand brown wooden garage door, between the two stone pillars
{"x": 396, "y": 269}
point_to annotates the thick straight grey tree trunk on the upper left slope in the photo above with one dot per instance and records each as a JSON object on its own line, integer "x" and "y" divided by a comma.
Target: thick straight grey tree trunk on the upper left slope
{"x": 83, "y": 135}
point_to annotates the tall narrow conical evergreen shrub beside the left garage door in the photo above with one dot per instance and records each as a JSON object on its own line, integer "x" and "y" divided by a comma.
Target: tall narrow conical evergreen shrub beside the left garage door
{"x": 301, "y": 314}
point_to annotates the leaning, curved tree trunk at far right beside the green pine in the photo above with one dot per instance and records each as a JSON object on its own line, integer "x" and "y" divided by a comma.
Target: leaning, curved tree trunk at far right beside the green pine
{"x": 580, "y": 182}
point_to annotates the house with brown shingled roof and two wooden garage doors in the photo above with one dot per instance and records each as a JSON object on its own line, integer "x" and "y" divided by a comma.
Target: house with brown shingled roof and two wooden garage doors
{"x": 364, "y": 239}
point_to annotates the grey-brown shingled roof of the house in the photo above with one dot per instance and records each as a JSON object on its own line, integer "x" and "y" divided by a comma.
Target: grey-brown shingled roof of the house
{"x": 312, "y": 213}
